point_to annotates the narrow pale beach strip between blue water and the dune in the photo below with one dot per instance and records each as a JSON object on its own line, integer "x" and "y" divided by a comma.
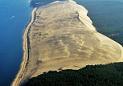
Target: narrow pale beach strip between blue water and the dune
{"x": 19, "y": 75}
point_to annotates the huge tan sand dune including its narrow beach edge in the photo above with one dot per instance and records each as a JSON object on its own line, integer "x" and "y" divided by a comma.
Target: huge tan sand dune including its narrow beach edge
{"x": 61, "y": 36}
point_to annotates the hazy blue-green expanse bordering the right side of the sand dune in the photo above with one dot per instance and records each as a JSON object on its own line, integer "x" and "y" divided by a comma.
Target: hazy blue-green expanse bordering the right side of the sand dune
{"x": 107, "y": 16}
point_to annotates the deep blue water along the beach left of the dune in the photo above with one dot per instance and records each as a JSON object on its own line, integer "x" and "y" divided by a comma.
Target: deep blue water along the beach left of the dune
{"x": 14, "y": 16}
